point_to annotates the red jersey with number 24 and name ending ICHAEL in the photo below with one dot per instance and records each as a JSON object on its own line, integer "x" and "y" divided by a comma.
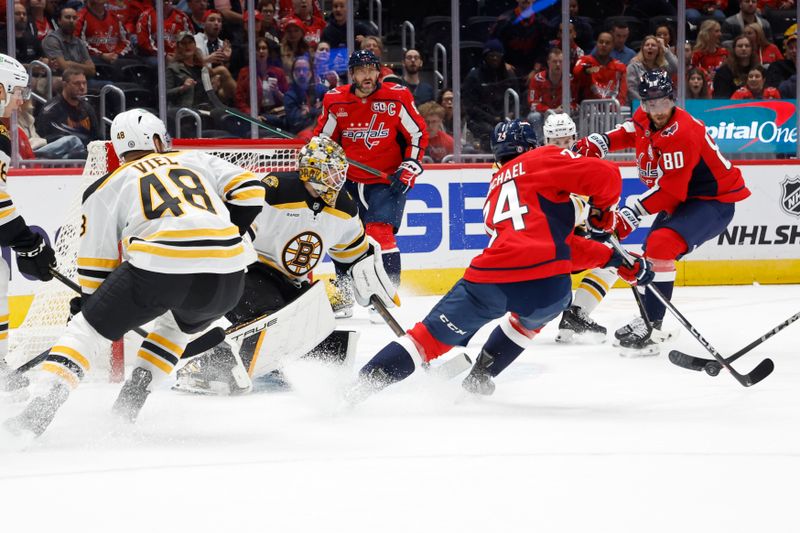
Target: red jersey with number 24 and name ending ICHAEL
{"x": 530, "y": 218}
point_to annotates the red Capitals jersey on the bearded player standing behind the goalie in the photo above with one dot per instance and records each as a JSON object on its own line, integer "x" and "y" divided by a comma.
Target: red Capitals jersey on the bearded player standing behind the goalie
{"x": 380, "y": 130}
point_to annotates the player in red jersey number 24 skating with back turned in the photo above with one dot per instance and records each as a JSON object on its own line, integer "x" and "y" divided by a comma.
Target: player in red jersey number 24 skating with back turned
{"x": 523, "y": 273}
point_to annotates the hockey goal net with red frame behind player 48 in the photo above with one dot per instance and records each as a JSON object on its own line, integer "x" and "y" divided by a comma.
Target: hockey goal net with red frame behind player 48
{"x": 47, "y": 316}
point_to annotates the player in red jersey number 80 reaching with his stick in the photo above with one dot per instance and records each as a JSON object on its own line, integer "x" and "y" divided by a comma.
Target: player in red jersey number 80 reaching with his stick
{"x": 692, "y": 189}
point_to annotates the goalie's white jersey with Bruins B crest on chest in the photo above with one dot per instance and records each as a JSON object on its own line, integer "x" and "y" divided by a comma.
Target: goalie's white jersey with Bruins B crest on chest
{"x": 294, "y": 230}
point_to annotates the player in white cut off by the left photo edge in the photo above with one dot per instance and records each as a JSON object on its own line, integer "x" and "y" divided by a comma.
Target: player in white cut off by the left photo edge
{"x": 34, "y": 256}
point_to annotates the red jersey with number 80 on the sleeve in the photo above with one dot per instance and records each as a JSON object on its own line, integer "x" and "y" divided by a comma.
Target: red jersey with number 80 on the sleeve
{"x": 678, "y": 162}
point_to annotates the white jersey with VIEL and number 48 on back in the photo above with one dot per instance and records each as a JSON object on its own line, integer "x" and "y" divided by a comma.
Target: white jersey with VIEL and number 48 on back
{"x": 169, "y": 213}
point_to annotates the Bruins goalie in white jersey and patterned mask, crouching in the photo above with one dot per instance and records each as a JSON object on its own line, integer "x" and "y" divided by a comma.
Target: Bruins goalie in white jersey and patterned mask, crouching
{"x": 306, "y": 214}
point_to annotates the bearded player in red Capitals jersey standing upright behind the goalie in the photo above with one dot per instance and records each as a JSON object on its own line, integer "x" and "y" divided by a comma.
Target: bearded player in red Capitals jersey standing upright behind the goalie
{"x": 377, "y": 124}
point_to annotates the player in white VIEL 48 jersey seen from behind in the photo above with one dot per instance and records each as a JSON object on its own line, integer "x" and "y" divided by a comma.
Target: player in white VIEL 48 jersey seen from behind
{"x": 179, "y": 218}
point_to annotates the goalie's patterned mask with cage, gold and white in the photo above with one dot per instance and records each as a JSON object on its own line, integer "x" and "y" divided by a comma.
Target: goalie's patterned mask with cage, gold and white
{"x": 323, "y": 165}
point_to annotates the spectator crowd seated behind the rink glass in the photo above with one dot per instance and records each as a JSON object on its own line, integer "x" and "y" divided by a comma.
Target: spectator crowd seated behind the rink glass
{"x": 301, "y": 53}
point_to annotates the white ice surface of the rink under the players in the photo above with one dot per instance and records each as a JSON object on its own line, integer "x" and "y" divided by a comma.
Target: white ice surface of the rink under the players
{"x": 576, "y": 438}
